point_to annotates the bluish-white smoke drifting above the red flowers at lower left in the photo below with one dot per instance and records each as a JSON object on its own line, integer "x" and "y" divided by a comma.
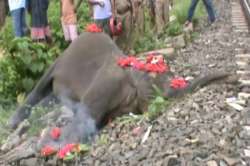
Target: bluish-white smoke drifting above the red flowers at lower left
{"x": 75, "y": 122}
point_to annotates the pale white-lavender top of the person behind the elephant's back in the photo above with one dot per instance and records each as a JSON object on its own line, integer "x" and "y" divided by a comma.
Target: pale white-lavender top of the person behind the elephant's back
{"x": 102, "y": 12}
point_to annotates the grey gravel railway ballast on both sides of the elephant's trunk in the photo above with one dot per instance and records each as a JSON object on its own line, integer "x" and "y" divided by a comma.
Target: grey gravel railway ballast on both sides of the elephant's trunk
{"x": 198, "y": 129}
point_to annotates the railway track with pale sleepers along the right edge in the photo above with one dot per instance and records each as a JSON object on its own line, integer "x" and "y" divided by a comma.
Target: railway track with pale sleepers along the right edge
{"x": 241, "y": 24}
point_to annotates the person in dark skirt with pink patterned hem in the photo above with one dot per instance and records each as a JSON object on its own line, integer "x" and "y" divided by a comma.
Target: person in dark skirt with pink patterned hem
{"x": 40, "y": 31}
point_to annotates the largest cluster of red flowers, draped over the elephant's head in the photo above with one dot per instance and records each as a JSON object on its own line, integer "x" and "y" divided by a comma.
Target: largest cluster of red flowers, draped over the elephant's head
{"x": 153, "y": 63}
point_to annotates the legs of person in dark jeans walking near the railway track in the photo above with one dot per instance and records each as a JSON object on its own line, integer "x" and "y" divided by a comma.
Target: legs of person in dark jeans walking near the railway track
{"x": 209, "y": 7}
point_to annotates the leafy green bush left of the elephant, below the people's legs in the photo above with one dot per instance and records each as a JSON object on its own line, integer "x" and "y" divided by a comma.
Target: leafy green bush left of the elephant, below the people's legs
{"x": 22, "y": 65}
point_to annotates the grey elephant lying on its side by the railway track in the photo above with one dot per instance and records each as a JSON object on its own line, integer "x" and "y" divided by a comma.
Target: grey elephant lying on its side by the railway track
{"x": 88, "y": 76}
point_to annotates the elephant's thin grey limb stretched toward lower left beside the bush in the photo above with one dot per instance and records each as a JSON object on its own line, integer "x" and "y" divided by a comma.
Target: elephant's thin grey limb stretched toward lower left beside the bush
{"x": 42, "y": 89}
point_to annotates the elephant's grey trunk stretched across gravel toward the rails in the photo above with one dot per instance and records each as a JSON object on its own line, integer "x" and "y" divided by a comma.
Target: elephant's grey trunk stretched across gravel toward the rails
{"x": 196, "y": 83}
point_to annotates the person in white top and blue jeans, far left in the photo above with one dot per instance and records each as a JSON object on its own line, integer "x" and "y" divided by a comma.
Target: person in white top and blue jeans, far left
{"x": 17, "y": 10}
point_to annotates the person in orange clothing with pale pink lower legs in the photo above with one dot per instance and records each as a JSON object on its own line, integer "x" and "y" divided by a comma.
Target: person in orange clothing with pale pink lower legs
{"x": 68, "y": 20}
